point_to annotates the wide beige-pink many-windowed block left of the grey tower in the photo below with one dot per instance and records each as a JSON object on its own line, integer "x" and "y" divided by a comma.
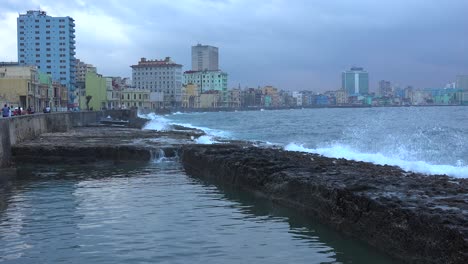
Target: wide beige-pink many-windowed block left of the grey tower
{"x": 162, "y": 76}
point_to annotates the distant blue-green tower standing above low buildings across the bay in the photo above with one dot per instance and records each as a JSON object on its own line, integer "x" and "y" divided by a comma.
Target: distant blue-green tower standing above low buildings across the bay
{"x": 355, "y": 81}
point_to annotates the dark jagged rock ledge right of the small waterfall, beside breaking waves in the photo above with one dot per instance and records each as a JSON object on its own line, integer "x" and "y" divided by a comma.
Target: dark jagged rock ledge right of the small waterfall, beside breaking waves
{"x": 413, "y": 217}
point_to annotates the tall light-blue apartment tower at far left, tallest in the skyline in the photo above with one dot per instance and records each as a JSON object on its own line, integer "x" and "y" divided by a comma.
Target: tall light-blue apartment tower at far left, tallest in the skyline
{"x": 49, "y": 43}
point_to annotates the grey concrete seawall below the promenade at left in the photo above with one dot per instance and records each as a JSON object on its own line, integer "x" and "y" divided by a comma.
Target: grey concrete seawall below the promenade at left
{"x": 20, "y": 128}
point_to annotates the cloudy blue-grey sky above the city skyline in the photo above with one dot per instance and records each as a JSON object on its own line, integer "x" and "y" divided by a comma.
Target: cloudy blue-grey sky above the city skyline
{"x": 290, "y": 44}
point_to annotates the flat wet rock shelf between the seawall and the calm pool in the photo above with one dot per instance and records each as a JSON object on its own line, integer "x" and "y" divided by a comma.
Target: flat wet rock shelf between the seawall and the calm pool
{"x": 89, "y": 144}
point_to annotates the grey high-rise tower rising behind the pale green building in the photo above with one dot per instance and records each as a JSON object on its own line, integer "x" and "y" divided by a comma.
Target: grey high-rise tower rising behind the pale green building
{"x": 205, "y": 58}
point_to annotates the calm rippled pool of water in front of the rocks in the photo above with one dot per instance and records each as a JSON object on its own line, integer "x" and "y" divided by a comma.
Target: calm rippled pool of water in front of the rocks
{"x": 154, "y": 213}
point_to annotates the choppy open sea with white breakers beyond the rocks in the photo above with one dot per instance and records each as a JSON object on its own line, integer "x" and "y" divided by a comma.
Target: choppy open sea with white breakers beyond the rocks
{"x": 430, "y": 140}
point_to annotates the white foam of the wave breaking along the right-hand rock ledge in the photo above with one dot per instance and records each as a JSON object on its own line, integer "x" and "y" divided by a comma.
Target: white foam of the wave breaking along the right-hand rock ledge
{"x": 342, "y": 151}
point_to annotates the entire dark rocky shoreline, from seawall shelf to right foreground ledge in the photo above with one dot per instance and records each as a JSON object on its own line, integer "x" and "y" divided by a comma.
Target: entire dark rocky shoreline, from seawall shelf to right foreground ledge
{"x": 412, "y": 217}
